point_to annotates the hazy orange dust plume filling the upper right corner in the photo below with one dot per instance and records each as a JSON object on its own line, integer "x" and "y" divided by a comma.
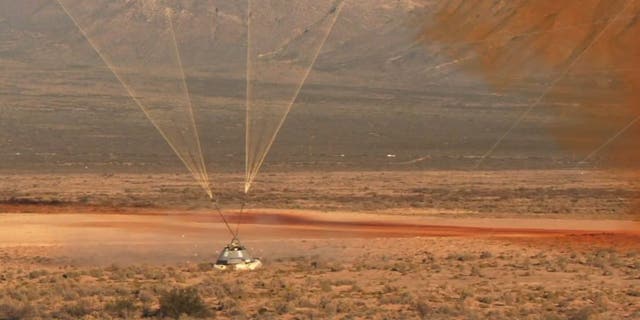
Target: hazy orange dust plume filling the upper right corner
{"x": 584, "y": 53}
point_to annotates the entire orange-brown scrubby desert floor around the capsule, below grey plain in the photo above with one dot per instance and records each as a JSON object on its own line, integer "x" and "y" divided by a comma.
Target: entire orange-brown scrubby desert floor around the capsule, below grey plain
{"x": 142, "y": 246}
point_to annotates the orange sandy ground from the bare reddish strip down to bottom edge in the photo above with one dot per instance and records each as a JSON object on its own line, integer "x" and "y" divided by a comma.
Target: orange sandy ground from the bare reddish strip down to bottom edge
{"x": 318, "y": 264}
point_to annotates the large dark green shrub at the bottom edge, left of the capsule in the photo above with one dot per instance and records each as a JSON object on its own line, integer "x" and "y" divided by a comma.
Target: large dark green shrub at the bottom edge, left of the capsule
{"x": 179, "y": 302}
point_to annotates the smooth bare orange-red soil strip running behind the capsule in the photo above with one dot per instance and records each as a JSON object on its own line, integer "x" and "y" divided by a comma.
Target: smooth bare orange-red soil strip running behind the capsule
{"x": 168, "y": 226}
